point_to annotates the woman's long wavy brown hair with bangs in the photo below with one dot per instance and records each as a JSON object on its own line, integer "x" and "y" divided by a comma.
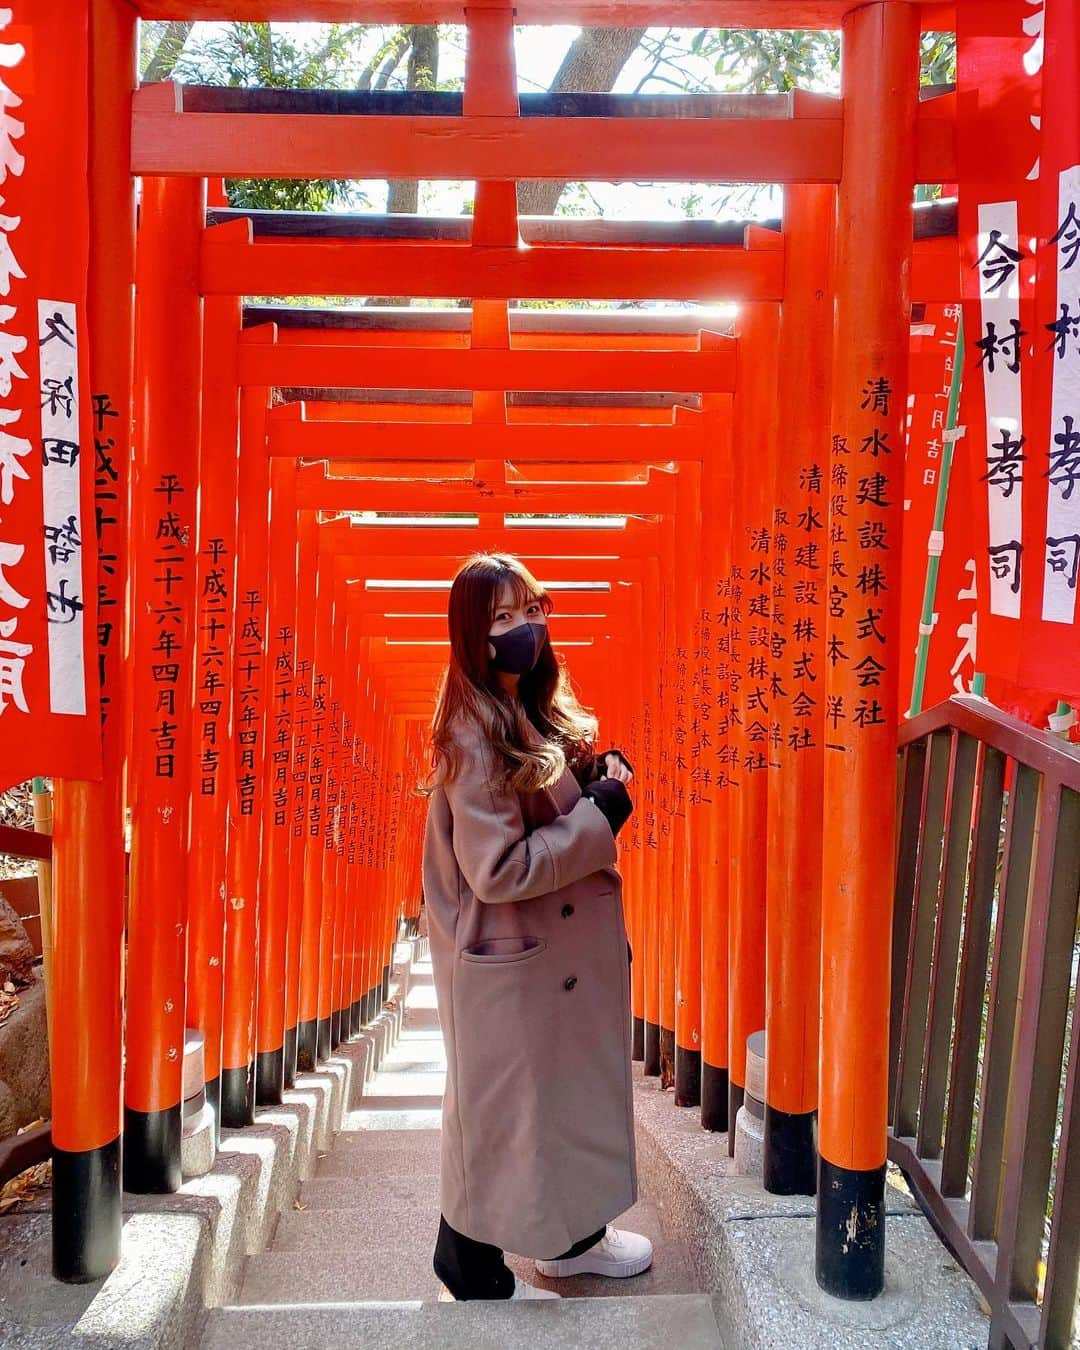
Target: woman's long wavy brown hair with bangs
{"x": 470, "y": 691}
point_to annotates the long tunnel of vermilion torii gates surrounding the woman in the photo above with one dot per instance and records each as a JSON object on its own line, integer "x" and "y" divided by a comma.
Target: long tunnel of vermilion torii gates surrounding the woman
{"x": 265, "y": 719}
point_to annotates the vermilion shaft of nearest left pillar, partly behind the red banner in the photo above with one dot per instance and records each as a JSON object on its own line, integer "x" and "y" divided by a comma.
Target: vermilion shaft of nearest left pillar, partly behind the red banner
{"x": 88, "y": 851}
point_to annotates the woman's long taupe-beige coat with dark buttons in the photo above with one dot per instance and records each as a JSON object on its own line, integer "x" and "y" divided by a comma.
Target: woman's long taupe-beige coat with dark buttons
{"x": 529, "y": 948}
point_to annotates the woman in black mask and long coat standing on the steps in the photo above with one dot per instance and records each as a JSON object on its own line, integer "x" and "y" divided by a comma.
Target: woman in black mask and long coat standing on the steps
{"x": 530, "y": 954}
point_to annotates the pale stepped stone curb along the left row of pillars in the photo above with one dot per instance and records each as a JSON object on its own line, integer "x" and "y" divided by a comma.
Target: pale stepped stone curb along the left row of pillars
{"x": 186, "y": 1253}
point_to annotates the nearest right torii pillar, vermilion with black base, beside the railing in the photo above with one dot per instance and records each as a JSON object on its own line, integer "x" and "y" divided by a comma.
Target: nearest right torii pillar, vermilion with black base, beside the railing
{"x": 870, "y": 407}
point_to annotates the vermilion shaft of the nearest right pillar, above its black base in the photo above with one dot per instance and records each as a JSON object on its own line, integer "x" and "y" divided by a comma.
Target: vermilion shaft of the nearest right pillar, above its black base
{"x": 870, "y": 341}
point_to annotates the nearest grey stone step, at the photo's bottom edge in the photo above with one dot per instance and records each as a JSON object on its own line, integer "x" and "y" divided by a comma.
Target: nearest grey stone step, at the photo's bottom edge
{"x": 668, "y": 1322}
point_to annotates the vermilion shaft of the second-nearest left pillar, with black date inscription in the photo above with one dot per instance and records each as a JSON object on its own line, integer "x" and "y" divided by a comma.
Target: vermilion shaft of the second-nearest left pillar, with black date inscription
{"x": 168, "y": 411}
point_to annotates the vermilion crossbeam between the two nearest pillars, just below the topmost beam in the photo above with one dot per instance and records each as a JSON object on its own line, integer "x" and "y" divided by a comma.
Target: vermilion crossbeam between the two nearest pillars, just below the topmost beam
{"x": 272, "y": 145}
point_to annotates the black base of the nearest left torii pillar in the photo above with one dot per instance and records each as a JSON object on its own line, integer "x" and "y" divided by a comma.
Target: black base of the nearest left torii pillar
{"x": 87, "y": 1213}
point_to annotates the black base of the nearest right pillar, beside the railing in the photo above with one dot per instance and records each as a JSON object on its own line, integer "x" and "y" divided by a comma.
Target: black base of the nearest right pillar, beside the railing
{"x": 851, "y": 1241}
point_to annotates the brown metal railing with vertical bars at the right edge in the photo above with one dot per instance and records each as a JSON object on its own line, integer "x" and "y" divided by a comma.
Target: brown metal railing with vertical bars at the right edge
{"x": 985, "y": 1051}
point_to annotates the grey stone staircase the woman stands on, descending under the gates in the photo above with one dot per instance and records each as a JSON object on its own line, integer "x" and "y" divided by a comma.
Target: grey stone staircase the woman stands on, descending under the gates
{"x": 350, "y": 1264}
